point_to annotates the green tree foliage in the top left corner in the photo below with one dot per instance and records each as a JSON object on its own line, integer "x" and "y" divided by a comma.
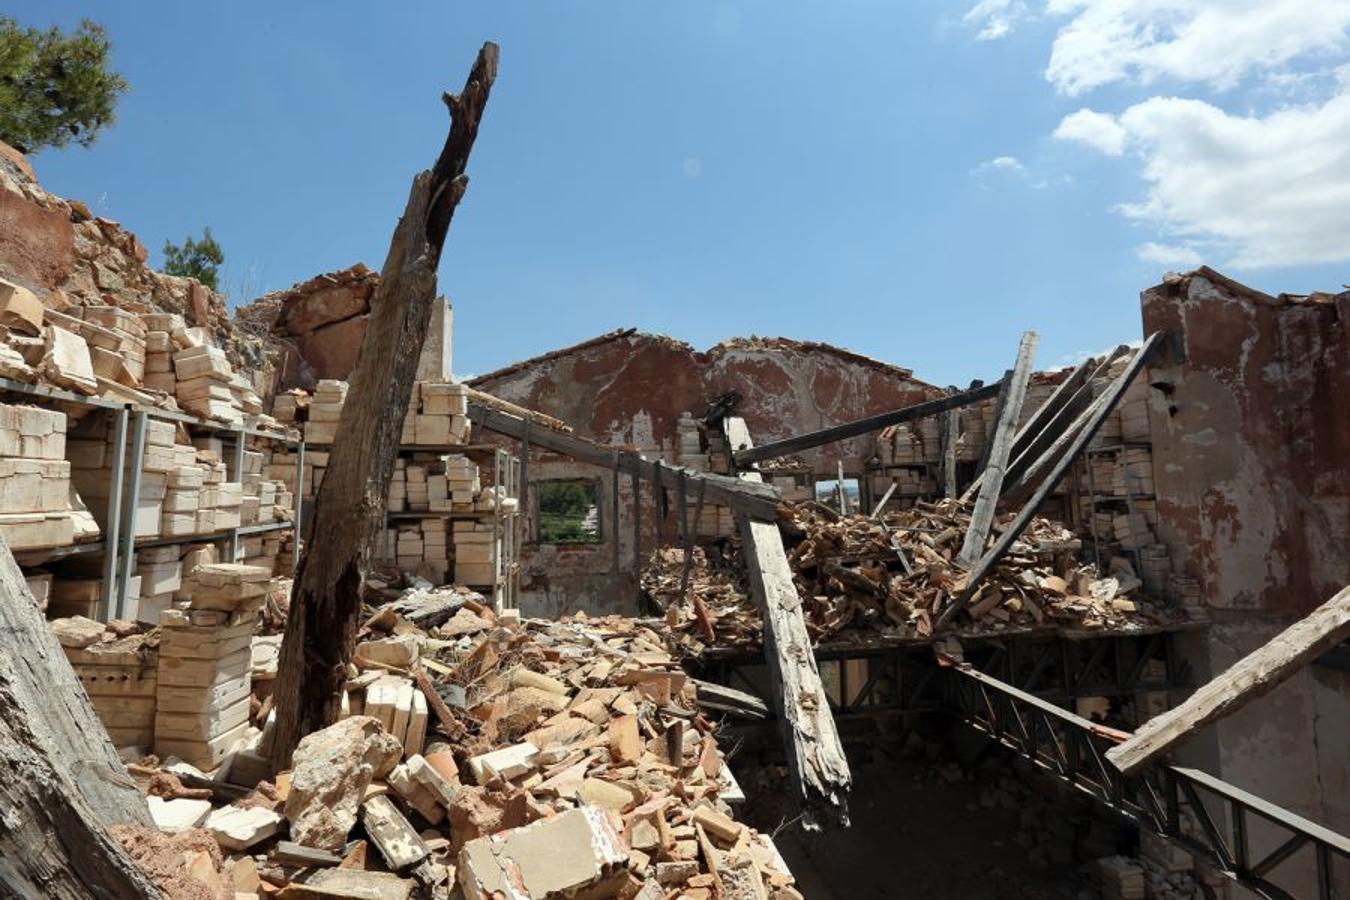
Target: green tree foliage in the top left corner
{"x": 56, "y": 88}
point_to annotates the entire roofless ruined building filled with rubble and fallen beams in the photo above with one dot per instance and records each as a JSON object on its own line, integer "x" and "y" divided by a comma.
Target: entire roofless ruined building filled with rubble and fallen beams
{"x": 627, "y": 585}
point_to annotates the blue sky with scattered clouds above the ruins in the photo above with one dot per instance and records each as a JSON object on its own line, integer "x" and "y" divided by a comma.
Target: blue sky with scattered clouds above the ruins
{"x": 917, "y": 181}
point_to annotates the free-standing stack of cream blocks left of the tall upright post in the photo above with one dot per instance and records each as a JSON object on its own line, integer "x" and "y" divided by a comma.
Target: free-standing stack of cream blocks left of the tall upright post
{"x": 205, "y": 663}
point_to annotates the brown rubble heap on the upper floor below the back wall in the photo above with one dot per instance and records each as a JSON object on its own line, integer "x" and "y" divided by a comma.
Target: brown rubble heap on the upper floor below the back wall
{"x": 894, "y": 577}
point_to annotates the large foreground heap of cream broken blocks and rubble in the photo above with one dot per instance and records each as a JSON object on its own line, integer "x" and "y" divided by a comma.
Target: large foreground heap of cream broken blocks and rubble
{"x": 514, "y": 759}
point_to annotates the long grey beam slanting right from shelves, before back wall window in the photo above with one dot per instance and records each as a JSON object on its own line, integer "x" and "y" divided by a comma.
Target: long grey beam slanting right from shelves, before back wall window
{"x": 758, "y": 501}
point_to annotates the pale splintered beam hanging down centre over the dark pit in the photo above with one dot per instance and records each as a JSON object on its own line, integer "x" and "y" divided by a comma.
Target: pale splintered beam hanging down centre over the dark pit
{"x": 816, "y": 758}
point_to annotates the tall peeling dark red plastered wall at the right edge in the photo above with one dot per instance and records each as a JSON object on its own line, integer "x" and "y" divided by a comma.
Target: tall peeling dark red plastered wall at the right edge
{"x": 1251, "y": 442}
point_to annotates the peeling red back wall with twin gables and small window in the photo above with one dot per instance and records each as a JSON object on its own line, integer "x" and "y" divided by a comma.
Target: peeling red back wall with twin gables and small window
{"x": 631, "y": 389}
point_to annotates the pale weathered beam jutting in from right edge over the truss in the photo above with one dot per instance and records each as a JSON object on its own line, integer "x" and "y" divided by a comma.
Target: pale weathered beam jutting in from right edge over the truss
{"x": 1255, "y": 675}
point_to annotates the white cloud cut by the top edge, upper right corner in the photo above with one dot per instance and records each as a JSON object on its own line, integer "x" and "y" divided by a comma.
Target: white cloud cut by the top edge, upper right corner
{"x": 1214, "y": 43}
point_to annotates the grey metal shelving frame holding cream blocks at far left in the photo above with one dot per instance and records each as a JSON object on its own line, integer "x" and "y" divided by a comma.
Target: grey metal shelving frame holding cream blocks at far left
{"x": 119, "y": 543}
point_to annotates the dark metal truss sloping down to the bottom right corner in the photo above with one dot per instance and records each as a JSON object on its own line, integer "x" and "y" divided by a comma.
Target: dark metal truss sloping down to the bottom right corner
{"x": 1208, "y": 817}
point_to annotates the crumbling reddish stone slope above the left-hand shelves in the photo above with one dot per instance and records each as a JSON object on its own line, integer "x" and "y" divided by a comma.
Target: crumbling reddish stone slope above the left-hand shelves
{"x": 67, "y": 256}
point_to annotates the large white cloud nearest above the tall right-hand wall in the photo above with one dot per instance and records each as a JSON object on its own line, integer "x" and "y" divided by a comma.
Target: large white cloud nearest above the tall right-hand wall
{"x": 1271, "y": 191}
